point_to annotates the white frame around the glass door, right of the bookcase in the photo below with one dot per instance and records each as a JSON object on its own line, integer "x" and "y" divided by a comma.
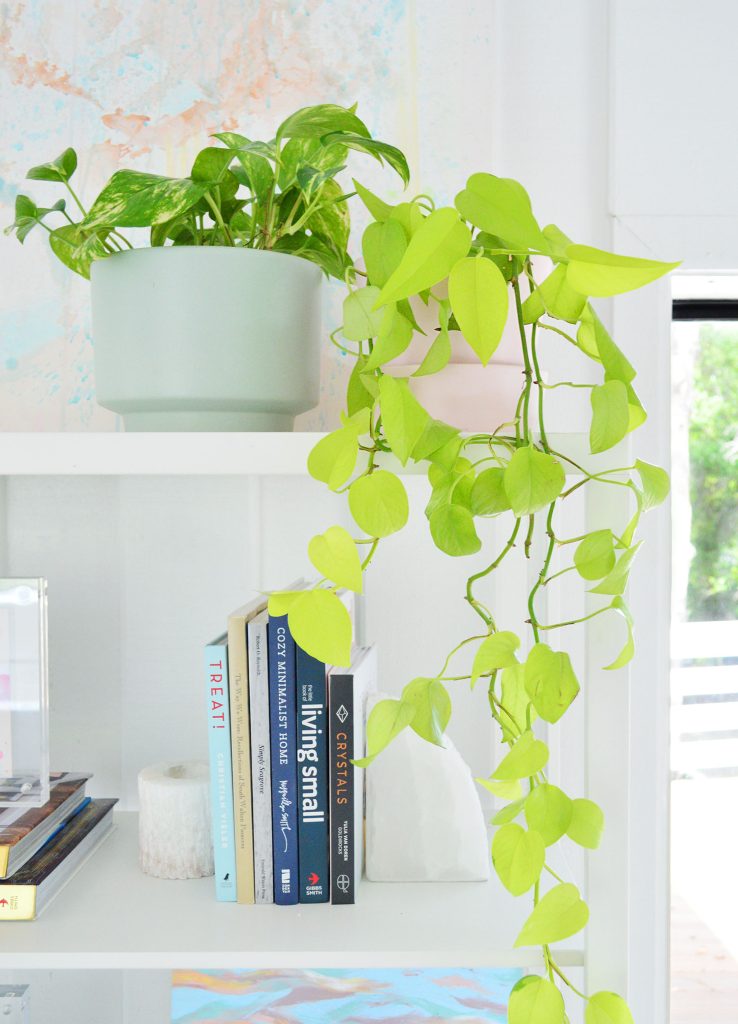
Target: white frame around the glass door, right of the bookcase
{"x": 642, "y": 328}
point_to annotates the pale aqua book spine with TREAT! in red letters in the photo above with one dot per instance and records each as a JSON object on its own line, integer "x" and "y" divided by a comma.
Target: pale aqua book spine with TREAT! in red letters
{"x": 222, "y": 776}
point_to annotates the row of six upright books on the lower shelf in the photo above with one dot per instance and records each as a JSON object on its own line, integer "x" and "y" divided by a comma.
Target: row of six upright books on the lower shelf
{"x": 287, "y": 802}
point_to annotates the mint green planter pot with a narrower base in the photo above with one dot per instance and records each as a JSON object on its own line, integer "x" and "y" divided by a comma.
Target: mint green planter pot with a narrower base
{"x": 195, "y": 338}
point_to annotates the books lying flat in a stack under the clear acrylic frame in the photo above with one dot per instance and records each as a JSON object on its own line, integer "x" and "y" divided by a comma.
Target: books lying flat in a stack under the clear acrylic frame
{"x": 44, "y": 847}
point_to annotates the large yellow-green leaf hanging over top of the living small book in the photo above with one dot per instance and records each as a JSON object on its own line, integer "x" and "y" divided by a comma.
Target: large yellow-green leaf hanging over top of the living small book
{"x": 322, "y": 626}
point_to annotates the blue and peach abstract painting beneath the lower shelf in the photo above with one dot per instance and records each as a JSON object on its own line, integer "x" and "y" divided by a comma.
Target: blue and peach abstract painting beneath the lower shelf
{"x": 342, "y": 997}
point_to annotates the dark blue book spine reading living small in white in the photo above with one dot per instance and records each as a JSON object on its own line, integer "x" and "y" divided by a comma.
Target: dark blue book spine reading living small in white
{"x": 313, "y": 781}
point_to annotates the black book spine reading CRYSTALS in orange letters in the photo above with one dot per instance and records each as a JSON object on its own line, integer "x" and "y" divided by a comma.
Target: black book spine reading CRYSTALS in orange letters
{"x": 343, "y": 797}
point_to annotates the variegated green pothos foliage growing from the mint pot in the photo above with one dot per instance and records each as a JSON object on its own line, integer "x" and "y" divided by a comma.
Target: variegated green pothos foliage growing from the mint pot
{"x": 283, "y": 196}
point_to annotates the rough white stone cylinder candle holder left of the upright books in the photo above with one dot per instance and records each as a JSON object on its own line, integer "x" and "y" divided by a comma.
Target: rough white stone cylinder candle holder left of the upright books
{"x": 175, "y": 829}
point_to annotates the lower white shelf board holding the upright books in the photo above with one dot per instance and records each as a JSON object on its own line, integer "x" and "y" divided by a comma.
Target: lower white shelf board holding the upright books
{"x": 112, "y": 916}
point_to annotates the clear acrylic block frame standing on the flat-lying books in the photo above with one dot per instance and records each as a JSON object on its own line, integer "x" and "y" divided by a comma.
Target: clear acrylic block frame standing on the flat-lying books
{"x": 24, "y": 694}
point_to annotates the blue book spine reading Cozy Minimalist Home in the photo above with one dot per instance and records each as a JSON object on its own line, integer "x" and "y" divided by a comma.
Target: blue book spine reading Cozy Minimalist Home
{"x": 283, "y": 720}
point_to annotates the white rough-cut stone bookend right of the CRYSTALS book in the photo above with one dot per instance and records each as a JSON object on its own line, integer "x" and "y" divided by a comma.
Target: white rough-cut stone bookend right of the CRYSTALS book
{"x": 424, "y": 818}
